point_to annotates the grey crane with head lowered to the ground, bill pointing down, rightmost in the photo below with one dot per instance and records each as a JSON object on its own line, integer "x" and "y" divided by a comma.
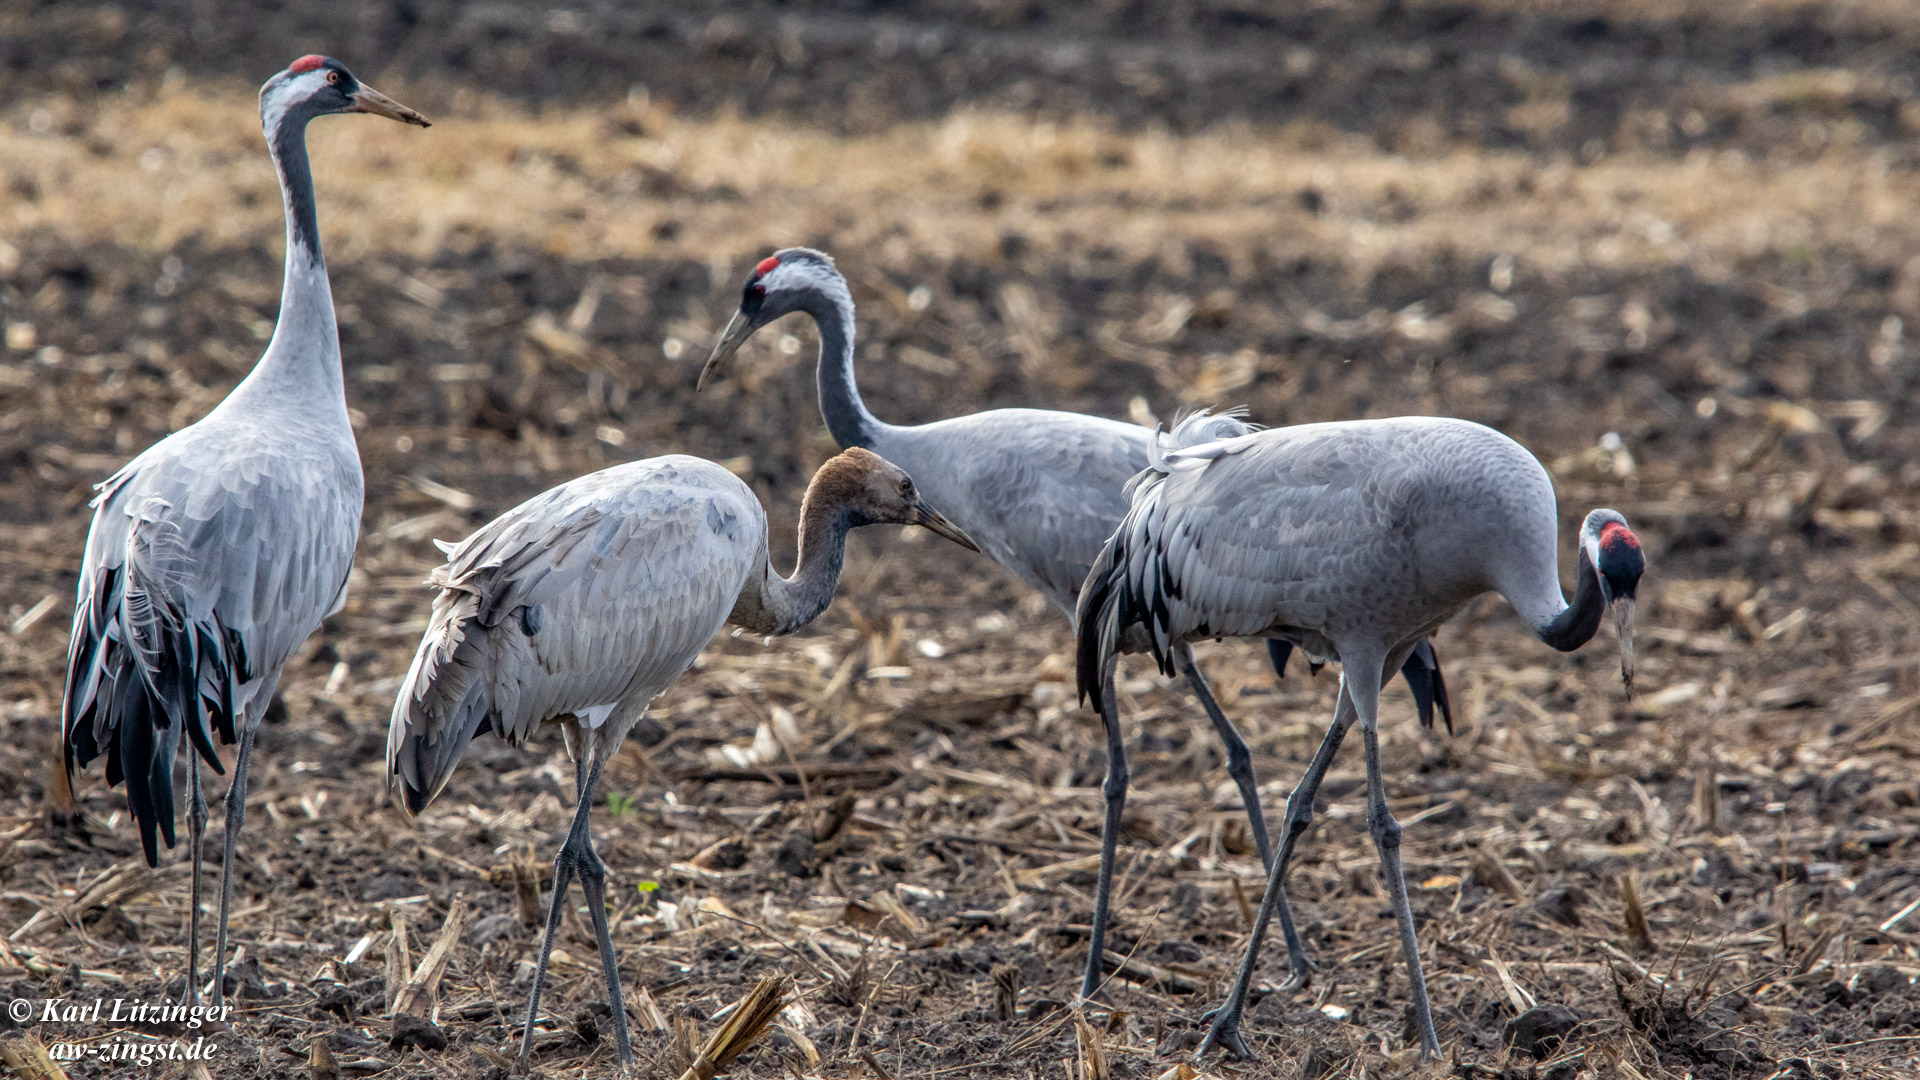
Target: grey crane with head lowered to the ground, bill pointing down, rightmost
{"x": 1353, "y": 541}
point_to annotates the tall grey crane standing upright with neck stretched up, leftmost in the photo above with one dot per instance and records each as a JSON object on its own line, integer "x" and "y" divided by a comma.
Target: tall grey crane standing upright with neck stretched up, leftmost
{"x": 218, "y": 551}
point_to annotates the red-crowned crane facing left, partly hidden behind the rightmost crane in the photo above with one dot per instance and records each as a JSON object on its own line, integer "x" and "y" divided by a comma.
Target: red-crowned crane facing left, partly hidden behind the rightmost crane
{"x": 1040, "y": 491}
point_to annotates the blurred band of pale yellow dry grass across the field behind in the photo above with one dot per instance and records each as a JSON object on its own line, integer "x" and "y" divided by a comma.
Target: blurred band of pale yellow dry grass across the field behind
{"x": 185, "y": 164}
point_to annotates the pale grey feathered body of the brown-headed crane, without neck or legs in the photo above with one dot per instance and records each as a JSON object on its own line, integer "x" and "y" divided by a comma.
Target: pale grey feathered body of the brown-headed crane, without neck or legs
{"x": 590, "y": 595}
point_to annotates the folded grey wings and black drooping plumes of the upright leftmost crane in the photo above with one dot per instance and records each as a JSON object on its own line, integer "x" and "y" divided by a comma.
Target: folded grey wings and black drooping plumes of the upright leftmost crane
{"x": 206, "y": 566}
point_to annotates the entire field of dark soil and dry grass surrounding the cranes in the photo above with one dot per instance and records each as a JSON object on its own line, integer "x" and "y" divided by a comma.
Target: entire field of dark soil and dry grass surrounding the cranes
{"x": 1668, "y": 245}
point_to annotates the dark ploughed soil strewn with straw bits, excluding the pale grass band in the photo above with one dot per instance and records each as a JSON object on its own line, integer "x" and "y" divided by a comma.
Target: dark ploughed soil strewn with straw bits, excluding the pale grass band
{"x": 944, "y": 925}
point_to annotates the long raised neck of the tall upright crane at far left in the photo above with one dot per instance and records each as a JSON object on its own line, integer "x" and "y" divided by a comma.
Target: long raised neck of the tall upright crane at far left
{"x": 302, "y": 362}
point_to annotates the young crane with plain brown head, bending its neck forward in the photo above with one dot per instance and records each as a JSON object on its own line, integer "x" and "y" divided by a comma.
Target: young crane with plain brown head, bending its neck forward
{"x": 585, "y": 604}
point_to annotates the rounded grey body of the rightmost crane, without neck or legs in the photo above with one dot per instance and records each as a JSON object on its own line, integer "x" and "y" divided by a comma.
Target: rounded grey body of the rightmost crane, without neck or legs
{"x": 1364, "y": 529}
